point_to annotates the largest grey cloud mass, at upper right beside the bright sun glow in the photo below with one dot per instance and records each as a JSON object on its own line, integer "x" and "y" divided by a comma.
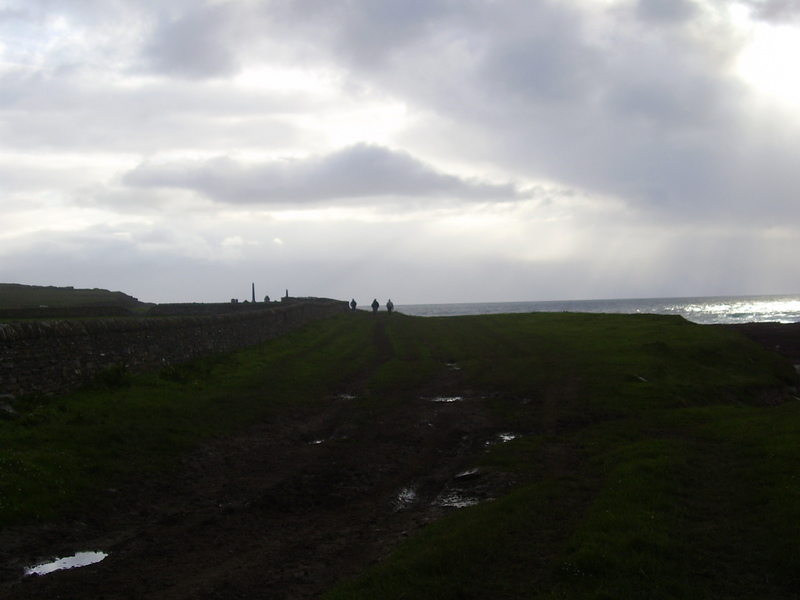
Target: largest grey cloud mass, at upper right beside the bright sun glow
{"x": 648, "y": 115}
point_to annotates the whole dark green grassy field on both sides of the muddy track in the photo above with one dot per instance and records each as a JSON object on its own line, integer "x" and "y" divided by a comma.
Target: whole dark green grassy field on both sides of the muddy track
{"x": 663, "y": 460}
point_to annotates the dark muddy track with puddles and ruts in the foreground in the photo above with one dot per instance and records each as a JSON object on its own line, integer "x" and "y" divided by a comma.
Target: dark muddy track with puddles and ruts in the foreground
{"x": 284, "y": 510}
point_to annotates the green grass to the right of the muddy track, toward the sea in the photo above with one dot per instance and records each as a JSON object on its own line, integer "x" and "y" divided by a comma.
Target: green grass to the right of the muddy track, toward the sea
{"x": 681, "y": 483}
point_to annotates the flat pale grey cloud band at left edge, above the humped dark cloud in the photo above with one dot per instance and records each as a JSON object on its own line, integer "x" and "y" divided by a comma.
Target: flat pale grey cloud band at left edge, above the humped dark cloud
{"x": 56, "y": 113}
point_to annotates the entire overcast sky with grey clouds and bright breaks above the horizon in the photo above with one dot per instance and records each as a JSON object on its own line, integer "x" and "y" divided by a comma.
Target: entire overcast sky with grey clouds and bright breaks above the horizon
{"x": 420, "y": 150}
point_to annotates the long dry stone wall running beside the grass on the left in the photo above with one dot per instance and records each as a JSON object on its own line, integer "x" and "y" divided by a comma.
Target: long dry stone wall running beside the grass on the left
{"x": 50, "y": 357}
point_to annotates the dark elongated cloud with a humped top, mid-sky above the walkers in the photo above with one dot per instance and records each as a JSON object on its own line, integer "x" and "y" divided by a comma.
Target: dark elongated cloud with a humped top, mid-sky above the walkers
{"x": 355, "y": 172}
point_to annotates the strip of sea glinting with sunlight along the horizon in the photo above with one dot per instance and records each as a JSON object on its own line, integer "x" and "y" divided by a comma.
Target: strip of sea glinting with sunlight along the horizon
{"x": 713, "y": 310}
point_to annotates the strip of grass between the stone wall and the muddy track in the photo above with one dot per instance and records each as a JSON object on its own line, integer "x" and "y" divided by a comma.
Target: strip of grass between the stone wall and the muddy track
{"x": 55, "y": 451}
